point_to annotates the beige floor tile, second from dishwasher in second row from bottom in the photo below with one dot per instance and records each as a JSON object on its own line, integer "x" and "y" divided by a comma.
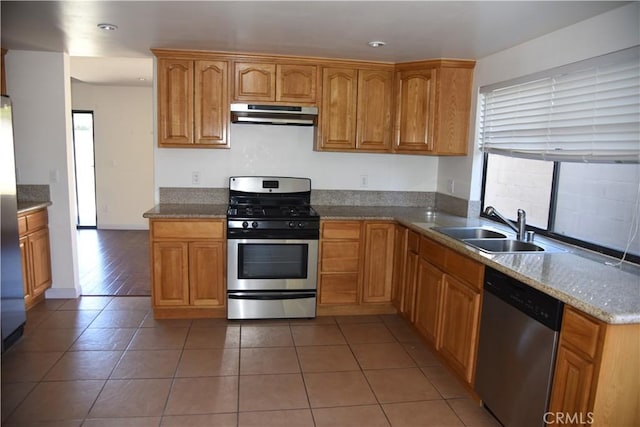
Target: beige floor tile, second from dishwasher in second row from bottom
{"x": 401, "y": 385}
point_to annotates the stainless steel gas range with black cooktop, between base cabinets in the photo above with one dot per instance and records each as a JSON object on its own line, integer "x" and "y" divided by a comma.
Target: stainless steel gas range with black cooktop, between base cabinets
{"x": 272, "y": 248}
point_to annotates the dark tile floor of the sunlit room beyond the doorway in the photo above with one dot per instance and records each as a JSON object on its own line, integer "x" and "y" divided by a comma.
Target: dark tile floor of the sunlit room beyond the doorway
{"x": 114, "y": 262}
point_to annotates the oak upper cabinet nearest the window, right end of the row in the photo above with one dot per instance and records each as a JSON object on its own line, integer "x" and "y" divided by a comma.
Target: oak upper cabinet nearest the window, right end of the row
{"x": 433, "y": 102}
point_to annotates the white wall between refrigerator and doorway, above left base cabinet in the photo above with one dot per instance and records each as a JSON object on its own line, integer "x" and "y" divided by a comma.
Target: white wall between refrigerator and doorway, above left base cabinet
{"x": 39, "y": 86}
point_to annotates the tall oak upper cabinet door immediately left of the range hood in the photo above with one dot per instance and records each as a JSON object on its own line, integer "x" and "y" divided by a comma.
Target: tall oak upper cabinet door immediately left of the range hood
{"x": 211, "y": 103}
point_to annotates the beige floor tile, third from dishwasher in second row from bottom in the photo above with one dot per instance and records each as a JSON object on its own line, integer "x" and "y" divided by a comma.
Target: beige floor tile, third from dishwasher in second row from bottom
{"x": 329, "y": 389}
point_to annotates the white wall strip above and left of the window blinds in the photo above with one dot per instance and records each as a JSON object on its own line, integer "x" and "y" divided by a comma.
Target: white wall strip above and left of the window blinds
{"x": 605, "y": 33}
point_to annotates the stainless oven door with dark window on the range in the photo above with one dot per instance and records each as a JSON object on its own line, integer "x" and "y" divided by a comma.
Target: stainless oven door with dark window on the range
{"x": 272, "y": 265}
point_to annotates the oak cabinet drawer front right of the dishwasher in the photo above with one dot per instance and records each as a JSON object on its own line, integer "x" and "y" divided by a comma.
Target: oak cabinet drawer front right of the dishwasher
{"x": 581, "y": 332}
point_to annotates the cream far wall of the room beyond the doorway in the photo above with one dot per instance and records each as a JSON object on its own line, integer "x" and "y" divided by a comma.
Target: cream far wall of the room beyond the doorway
{"x": 123, "y": 132}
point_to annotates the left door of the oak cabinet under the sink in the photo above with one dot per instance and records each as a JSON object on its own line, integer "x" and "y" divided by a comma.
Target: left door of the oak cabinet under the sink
{"x": 429, "y": 286}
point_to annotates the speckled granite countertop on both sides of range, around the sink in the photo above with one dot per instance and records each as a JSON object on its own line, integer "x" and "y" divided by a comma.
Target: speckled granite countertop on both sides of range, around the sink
{"x": 577, "y": 277}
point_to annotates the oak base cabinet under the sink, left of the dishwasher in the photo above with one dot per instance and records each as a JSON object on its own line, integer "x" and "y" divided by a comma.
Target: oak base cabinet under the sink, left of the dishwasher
{"x": 447, "y": 312}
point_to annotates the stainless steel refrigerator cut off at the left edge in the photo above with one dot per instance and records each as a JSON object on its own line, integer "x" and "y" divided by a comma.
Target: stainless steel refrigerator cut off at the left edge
{"x": 12, "y": 291}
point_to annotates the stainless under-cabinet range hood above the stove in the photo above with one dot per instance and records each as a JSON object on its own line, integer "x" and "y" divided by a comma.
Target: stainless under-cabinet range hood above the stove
{"x": 274, "y": 114}
